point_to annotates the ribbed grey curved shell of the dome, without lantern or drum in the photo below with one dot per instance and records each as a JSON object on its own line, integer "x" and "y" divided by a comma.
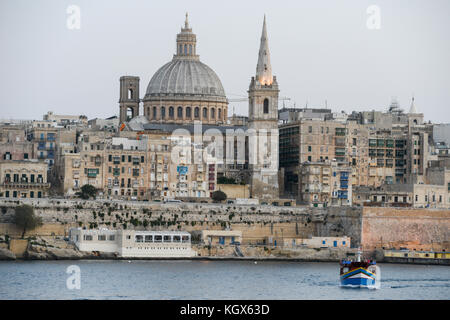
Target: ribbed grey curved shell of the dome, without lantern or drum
{"x": 184, "y": 76}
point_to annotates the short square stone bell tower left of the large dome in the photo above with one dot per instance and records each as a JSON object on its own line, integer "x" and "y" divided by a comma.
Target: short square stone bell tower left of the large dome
{"x": 129, "y": 98}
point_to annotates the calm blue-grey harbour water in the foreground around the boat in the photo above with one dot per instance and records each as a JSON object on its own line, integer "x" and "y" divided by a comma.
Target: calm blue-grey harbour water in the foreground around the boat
{"x": 213, "y": 280}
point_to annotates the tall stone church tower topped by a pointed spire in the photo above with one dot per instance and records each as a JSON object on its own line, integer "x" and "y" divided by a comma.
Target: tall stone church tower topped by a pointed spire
{"x": 263, "y": 125}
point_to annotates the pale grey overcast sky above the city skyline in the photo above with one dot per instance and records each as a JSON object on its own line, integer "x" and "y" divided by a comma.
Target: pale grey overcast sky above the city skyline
{"x": 321, "y": 52}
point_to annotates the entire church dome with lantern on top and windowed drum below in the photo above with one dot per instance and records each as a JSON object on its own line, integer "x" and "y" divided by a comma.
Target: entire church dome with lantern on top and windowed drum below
{"x": 185, "y": 90}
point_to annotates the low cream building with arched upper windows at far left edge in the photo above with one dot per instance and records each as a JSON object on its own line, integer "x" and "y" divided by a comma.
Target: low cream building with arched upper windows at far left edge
{"x": 23, "y": 179}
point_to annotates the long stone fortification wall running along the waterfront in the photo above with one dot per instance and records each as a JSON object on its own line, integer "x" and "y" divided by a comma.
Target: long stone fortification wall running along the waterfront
{"x": 373, "y": 227}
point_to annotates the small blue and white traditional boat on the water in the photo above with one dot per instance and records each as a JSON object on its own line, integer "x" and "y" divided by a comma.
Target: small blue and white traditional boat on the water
{"x": 361, "y": 273}
